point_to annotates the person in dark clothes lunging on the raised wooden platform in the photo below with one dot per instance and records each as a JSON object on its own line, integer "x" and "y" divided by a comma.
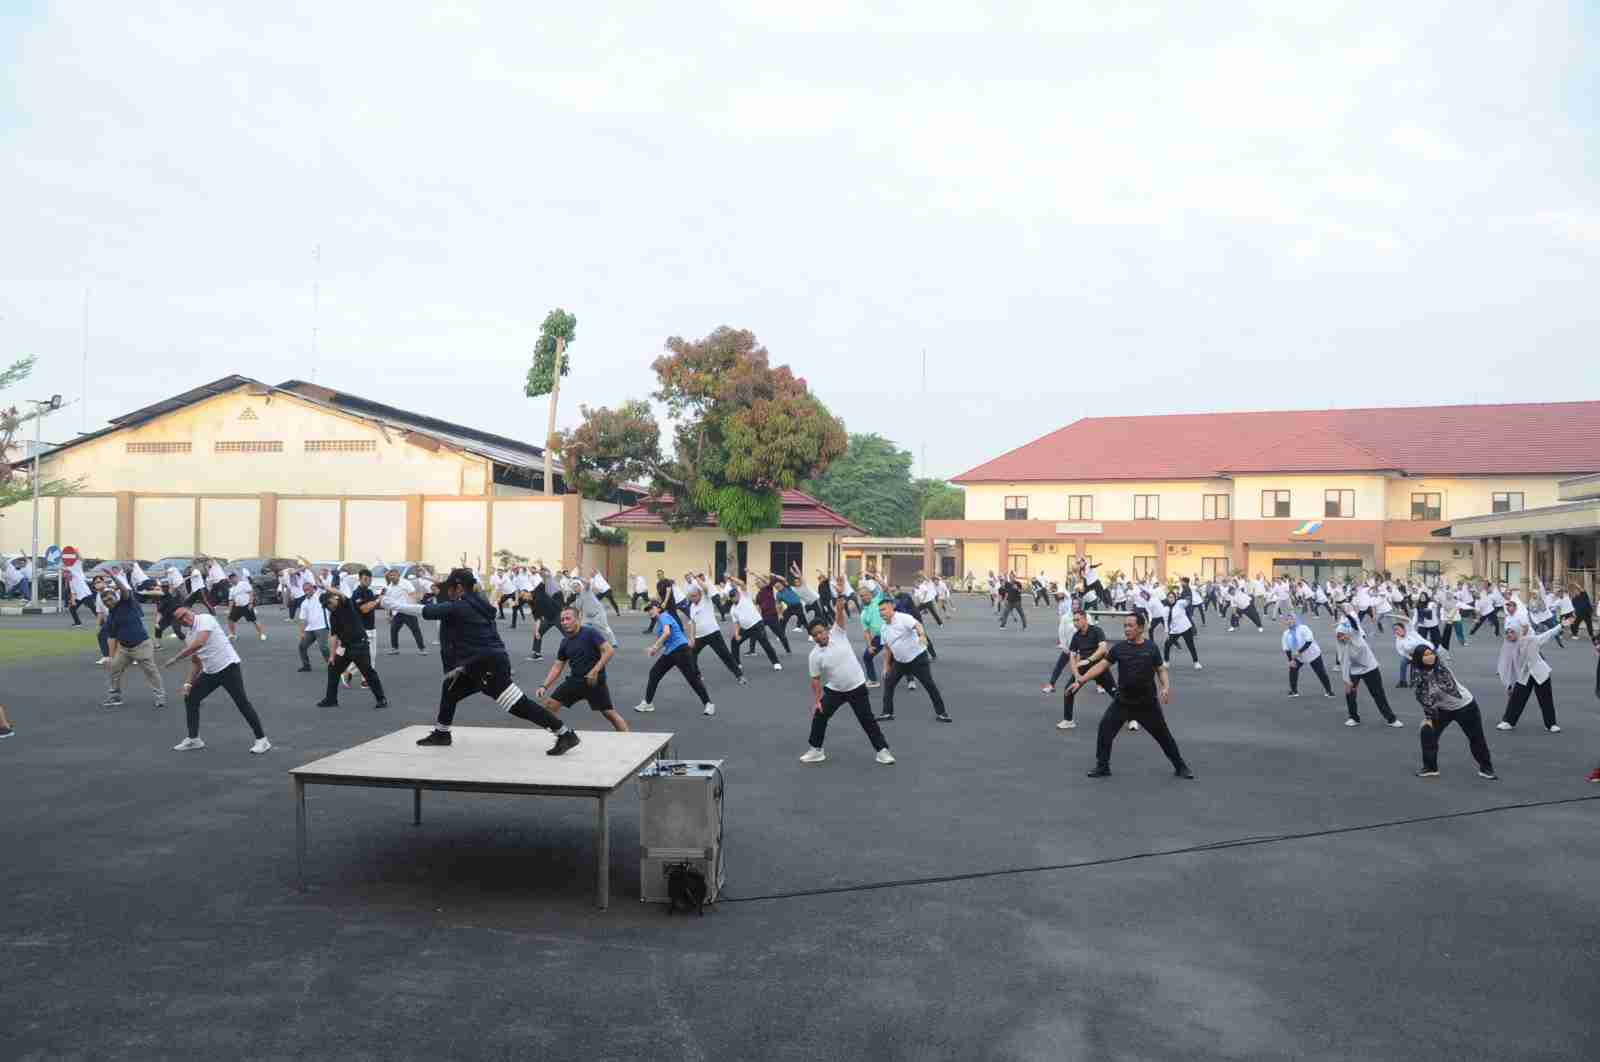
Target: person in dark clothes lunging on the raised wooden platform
{"x": 476, "y": 661}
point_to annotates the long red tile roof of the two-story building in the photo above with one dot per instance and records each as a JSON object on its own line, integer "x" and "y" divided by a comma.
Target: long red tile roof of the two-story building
{"x": 1532, "y": 439}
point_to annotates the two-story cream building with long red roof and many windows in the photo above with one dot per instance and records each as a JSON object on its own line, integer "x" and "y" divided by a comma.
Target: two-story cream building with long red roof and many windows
{"x": 1318, "y": 493}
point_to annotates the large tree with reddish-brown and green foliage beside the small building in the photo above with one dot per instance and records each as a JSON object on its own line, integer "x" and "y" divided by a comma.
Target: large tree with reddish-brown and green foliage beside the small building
{"x": 743, "y": 434}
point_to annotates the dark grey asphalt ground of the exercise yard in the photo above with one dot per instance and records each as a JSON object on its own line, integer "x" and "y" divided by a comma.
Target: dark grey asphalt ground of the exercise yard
{"x": 982, "y": 900}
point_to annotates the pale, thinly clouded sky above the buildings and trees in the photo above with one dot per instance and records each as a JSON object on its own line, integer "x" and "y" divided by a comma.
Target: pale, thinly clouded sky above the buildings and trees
{"x": 1070, "y": 209}
